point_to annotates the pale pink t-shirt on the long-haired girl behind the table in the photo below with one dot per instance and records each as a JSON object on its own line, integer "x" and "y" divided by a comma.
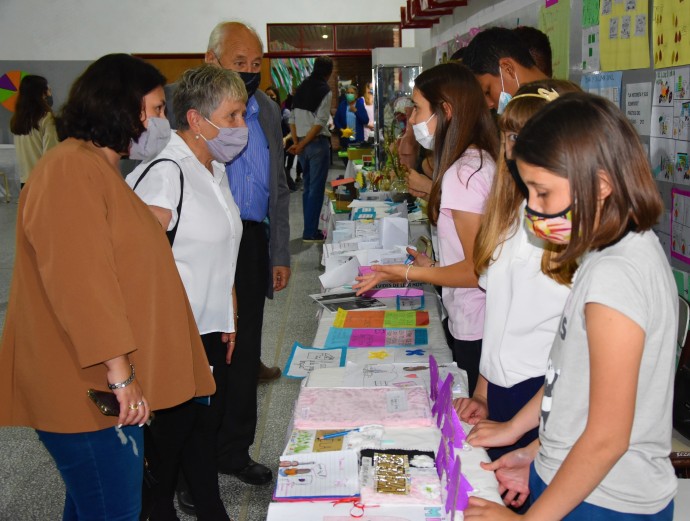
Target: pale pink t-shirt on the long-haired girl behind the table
{"x": 465, "y": 187}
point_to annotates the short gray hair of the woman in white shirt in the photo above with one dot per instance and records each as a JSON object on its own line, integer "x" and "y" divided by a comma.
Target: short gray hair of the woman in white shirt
{"x": 203, "y": 89}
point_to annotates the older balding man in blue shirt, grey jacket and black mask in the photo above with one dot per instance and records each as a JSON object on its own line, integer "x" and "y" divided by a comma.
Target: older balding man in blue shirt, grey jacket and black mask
{"x": 257, "y": 183}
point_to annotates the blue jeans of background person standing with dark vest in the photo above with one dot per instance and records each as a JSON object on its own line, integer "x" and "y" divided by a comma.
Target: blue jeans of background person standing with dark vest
{"x": 315, "y": 160}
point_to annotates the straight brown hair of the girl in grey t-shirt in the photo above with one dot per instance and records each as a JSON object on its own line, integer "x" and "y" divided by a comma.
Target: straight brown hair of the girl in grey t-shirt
{"x": 583, "y": 137}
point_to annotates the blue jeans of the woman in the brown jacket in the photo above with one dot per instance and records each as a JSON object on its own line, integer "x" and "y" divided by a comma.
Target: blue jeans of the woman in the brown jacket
{"x": 102, "y": 471}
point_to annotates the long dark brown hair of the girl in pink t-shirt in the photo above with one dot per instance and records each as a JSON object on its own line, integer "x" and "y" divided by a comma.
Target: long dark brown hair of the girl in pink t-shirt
{"x": 469, "y": 125}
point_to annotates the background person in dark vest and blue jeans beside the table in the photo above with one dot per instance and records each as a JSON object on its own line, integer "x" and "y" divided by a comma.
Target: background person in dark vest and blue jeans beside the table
{"x": 309, "y": 124}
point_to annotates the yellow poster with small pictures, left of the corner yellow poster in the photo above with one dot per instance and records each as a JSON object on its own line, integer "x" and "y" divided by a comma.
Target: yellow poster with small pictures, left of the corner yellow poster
{"x": 623, "y": 35}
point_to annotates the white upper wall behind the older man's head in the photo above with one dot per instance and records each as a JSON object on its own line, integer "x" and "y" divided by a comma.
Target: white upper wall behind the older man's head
{"x": 87, "y": 29}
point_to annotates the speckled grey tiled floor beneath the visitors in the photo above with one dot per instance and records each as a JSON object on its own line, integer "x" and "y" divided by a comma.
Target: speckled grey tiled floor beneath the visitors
{"x": 30, "y": 486}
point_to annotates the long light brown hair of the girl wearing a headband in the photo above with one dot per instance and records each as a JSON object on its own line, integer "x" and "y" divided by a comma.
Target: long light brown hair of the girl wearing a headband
{"x": 501, "y": 217}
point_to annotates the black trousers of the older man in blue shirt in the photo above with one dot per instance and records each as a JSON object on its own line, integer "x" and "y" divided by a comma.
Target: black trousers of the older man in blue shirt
{"x": 251, "y": 282}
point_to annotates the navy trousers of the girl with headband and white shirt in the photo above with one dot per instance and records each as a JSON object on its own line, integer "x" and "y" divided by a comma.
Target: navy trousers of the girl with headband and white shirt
{"x": 506, "y": 402}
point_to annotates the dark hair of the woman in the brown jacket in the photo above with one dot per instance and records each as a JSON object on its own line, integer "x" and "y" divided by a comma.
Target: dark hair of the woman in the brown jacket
{"x": 106, "y": 101}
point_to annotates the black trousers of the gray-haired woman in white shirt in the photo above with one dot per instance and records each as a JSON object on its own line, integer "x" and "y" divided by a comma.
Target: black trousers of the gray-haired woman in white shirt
{"x": 185, "y": 437}
